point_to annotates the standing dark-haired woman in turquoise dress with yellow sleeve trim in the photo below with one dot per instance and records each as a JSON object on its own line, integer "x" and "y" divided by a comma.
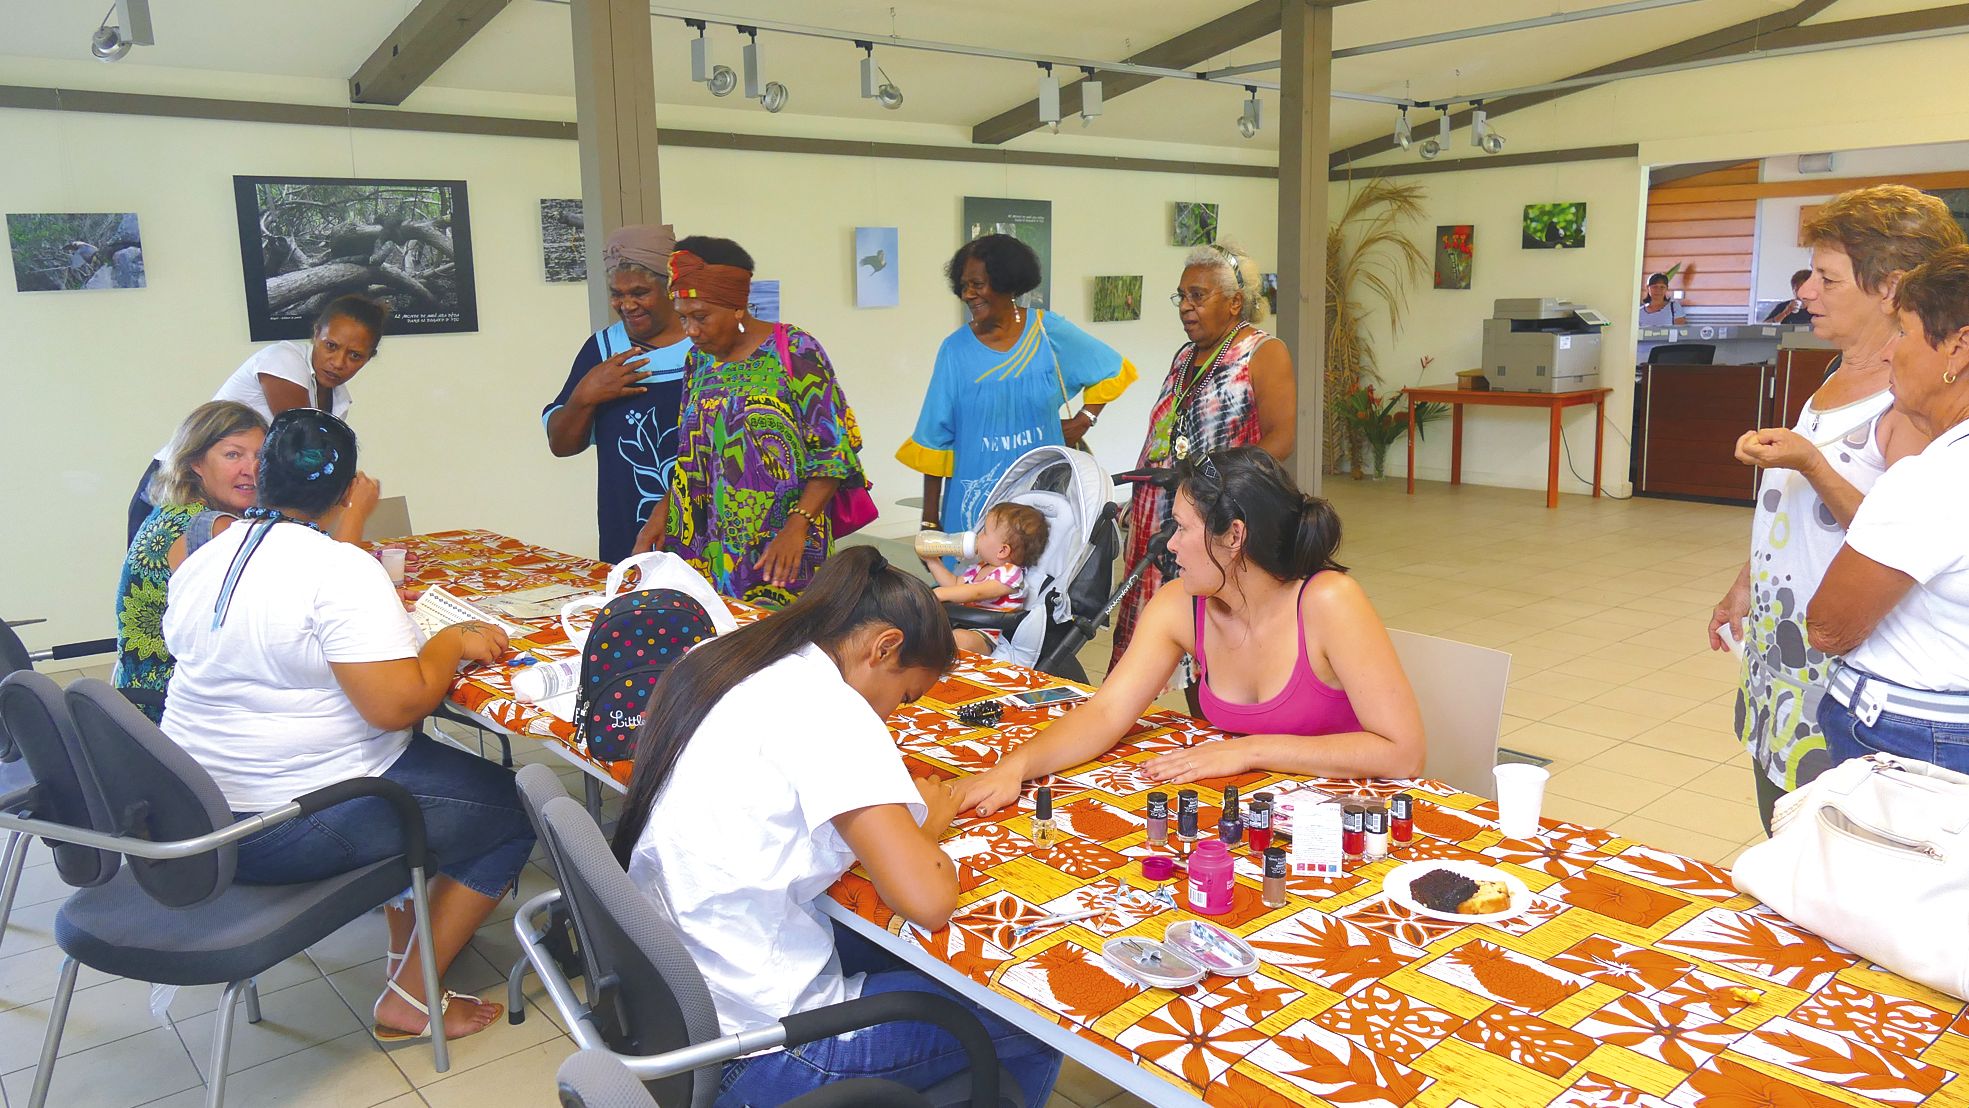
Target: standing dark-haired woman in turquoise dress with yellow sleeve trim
{"x": 1001, "y": 381}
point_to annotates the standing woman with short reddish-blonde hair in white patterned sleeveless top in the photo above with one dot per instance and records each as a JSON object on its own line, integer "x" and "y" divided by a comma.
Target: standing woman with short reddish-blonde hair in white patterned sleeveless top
{"x": 1818, "y": 471}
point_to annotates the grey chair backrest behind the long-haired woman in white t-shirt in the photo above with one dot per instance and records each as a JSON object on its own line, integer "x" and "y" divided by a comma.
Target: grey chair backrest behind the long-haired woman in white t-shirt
{"x": 651, "y": 997}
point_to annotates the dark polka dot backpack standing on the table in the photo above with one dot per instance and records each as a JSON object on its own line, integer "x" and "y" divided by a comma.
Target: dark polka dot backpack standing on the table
{"x": 635, "y": 641}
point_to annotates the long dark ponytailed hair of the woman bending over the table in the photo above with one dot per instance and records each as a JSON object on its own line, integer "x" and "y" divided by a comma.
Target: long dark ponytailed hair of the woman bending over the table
{"x": 852, "y": 591}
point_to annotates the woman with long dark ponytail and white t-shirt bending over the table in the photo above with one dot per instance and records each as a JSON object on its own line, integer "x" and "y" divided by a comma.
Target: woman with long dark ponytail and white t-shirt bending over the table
{"x": 763, "y": 776}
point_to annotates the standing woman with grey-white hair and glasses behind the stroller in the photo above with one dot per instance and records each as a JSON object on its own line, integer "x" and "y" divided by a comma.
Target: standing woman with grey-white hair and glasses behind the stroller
{"x": 1230, "y": 387}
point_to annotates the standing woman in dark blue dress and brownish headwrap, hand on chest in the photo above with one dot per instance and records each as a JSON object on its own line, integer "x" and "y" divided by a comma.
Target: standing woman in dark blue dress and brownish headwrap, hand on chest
{"x": 625, "y": 393}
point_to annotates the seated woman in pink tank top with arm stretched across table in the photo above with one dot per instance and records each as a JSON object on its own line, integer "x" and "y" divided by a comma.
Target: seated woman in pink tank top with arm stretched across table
{"x": 1293, "y": 660}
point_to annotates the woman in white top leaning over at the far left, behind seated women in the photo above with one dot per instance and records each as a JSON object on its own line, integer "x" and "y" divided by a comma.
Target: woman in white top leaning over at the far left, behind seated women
{"x": 292, "y": 375}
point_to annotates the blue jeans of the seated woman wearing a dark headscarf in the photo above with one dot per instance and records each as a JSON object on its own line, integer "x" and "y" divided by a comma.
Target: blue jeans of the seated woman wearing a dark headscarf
{"x": 472, "y": 816}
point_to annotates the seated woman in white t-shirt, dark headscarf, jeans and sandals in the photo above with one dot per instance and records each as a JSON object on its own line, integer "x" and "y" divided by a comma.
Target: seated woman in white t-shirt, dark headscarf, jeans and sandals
{"x": 298, "y": 668}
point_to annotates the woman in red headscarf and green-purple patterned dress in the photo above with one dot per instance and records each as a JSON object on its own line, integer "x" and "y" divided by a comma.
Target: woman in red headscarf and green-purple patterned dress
{"x": 767, "y": 436}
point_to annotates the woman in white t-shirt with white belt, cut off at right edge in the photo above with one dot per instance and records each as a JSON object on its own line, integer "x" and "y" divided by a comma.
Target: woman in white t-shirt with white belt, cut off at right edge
{"x": 1895, "y": 603}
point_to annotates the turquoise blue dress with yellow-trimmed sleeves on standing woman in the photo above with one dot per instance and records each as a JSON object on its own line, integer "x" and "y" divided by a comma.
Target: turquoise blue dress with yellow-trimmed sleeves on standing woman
{"x": 985, "y": 408}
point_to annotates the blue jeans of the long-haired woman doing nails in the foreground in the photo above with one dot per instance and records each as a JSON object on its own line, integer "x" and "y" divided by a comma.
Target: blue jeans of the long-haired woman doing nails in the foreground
{"x": 911, "y": 1054}
